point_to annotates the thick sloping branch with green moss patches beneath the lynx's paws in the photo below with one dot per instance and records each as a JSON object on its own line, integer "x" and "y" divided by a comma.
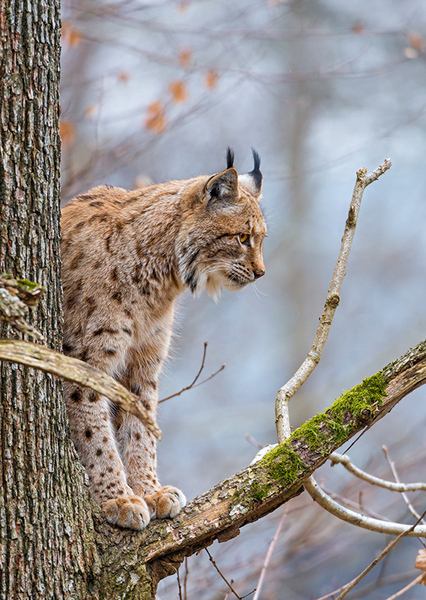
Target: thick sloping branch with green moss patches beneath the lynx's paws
{"x": 279, "y": 475}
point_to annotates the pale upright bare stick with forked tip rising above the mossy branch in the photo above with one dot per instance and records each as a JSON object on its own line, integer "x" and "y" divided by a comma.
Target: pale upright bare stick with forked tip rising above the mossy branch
{"x": 288, "y": 390}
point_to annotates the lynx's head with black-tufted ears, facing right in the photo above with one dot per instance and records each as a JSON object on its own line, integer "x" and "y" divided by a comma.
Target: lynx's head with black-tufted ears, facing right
{"x": 220, "y": 245}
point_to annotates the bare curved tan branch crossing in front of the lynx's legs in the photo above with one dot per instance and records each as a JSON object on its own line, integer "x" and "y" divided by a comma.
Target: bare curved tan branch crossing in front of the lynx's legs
{"x": 76, "y": 371}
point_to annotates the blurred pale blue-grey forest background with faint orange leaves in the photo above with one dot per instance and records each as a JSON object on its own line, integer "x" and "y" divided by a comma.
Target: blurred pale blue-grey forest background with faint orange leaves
{"x": 153, "y": 91}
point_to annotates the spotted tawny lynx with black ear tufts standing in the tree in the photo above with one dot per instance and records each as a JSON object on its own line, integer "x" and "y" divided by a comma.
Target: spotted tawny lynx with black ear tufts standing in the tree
{"x": 127, "y": 256}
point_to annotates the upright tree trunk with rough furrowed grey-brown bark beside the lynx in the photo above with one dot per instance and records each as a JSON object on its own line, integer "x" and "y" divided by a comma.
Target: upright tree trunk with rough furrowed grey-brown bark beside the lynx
{"x": 42, "y": 498}
